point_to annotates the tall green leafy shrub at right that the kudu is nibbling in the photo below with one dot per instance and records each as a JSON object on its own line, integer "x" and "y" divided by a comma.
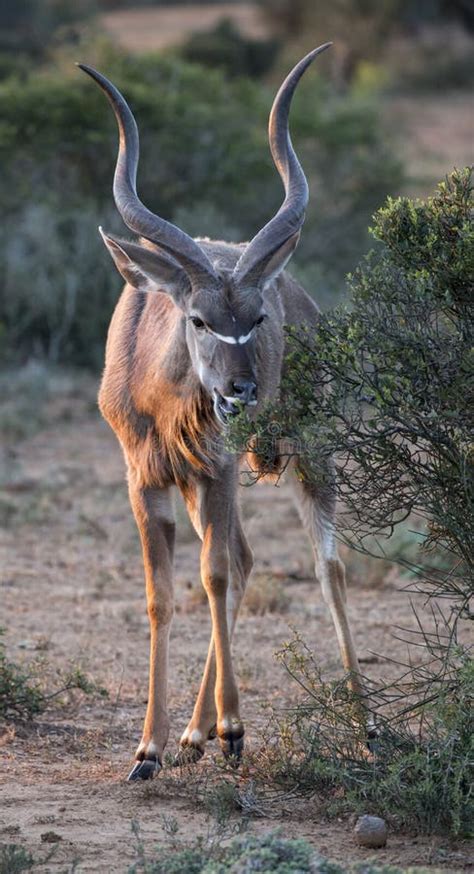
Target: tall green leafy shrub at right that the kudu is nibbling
{"x": 387, "y": 387}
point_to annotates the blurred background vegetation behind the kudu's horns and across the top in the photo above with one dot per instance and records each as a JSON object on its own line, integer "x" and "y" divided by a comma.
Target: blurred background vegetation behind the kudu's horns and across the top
{"x": 388, "y": 113}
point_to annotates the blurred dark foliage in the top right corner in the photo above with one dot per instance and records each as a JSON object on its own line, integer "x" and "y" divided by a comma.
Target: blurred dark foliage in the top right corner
{"x": 391, "y": 33}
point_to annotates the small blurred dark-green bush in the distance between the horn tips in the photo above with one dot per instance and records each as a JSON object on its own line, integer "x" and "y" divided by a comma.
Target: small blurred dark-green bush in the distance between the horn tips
{"x": 224, "y": 47}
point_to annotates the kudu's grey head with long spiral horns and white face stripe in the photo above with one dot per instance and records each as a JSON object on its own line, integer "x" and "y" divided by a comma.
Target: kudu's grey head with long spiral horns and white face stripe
{"x": 223, "y": 309}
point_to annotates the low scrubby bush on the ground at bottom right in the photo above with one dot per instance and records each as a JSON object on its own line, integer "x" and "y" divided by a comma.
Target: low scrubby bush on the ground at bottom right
{"x": 421, "y": 773}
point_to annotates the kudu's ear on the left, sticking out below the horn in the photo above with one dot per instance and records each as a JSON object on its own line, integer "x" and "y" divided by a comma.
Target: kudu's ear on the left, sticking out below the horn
{"x": 148, "y": 269}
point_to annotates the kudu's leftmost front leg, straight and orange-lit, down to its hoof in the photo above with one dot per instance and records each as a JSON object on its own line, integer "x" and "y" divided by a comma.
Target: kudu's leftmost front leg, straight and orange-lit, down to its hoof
{"x": 154, "y": 516}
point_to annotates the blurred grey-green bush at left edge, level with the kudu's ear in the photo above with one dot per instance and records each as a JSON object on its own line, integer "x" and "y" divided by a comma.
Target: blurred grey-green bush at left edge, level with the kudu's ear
{"x": 57, "y": 295}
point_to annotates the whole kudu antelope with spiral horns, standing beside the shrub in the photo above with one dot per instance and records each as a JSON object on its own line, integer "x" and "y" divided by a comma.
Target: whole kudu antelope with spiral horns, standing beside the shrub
{"x": 197, "y": 334}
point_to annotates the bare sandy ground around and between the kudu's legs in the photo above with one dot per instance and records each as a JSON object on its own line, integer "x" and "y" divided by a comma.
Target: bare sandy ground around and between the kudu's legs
{"x": 72, "y": 594}
